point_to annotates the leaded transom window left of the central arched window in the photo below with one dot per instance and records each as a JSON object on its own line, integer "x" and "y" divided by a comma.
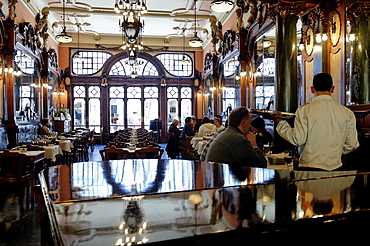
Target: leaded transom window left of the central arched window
{"x": 88, "y": 62}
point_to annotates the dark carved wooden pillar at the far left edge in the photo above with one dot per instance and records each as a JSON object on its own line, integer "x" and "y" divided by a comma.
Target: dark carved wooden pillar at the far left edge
{"x": 9, "y": 51}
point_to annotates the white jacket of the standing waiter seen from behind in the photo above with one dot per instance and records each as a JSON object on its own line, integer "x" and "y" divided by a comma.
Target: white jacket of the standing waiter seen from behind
{"x": 325, "y": 130}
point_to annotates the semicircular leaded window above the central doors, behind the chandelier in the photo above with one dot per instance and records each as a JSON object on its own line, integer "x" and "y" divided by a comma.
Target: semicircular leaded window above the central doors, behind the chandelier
{"x": 122, "y": 68}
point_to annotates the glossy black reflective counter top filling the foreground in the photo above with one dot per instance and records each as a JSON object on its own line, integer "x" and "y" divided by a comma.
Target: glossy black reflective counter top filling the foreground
{"x": 163, "y": 202}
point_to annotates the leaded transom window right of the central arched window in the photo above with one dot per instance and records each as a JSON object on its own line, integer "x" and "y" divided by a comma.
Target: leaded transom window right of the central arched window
{"x": 172, "y": 62}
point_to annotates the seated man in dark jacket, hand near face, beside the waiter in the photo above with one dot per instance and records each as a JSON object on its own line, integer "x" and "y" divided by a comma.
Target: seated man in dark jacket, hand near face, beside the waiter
{"x": 236, "y": 145}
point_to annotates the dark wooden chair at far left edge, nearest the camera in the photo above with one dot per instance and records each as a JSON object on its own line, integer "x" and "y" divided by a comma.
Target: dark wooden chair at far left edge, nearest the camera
{"x": 13, "y": 171}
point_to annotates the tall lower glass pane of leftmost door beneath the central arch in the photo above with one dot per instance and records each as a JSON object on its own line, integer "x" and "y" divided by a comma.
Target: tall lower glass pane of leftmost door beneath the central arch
{"x": 117, "y": 119}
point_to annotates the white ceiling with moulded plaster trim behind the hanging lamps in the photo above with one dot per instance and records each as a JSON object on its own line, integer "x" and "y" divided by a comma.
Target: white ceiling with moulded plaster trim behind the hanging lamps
{"x": 163, "y": 27}
